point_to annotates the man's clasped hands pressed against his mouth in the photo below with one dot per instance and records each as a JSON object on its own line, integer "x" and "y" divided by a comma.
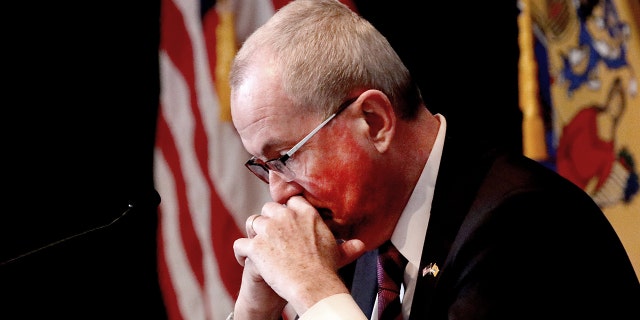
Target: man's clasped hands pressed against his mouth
{"x": 289, "y": 255}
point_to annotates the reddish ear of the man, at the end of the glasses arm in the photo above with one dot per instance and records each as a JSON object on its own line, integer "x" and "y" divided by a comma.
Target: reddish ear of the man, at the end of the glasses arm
{"x": 380, "y": 118}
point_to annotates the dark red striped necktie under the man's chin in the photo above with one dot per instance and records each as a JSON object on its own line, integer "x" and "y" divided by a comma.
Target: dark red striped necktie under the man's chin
{"x": 391, "y": 266}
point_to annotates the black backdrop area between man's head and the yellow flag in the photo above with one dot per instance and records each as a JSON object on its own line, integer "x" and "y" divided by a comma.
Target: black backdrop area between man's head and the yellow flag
{"x": 464, "y": 56}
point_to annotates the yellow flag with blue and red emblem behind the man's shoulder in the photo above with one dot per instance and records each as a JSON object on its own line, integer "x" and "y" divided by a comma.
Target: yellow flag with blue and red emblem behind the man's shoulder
{"x": 579, "y": 74}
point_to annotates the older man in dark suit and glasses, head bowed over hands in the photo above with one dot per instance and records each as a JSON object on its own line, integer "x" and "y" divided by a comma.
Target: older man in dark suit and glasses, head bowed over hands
{"x": 356, "y": 164}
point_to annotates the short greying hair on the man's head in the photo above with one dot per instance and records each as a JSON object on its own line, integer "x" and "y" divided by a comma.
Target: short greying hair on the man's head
{"x": 324, "y": 52}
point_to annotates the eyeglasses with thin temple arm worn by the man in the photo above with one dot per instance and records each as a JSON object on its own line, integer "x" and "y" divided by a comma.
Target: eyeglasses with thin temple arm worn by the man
{"x": 261, "y": 168}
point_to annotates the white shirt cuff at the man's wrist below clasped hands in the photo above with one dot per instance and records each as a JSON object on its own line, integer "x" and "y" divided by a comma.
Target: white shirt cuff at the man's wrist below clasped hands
{"x": 336, "y": 307}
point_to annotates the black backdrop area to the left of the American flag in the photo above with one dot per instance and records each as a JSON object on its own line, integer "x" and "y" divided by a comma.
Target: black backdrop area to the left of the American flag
{"x": 83, "y": 88}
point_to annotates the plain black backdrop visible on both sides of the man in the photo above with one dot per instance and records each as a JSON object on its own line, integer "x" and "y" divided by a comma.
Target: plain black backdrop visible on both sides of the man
{"x": 82, "y": 90}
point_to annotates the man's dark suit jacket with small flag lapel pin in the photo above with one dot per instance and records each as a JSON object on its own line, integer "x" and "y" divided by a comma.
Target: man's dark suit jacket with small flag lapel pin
{"x": 513, "y": 240}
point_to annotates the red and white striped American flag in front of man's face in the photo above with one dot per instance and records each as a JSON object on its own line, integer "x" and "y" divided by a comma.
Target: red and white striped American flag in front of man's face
{"x": 207, "y": 194}
